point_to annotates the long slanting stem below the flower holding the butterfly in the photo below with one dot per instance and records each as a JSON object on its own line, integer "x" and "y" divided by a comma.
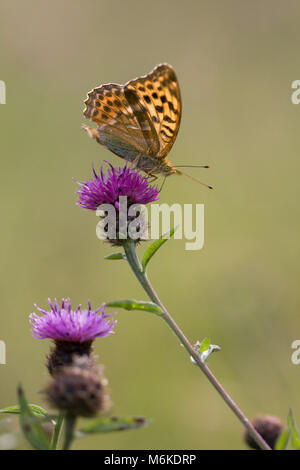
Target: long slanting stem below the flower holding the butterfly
{"x": 134, "y": 262}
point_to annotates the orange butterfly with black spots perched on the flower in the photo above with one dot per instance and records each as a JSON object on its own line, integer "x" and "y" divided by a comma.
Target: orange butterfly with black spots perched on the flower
{"x": 138, "y": 121}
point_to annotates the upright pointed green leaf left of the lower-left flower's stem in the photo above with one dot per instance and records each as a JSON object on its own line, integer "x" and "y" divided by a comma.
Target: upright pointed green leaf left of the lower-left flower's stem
{"x": 31, "y": 427}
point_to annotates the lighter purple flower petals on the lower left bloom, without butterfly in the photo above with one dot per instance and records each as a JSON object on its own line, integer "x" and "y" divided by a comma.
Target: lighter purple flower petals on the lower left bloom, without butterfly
{"x": 64, "y": 324}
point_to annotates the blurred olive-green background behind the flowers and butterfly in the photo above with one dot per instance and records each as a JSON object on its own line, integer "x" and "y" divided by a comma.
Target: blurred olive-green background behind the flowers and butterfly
{"x": 235, "y": 62}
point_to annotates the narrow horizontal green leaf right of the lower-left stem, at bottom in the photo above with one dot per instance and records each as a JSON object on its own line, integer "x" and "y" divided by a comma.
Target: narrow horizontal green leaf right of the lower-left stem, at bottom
{"x": 110, "y": 424}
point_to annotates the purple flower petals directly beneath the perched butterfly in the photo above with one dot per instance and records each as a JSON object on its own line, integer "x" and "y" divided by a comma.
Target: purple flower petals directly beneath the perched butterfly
{"x": 106, "y": 189}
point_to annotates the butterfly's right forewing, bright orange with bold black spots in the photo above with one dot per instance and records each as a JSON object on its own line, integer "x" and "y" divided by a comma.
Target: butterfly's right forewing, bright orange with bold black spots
{"x": 159, "y": 94}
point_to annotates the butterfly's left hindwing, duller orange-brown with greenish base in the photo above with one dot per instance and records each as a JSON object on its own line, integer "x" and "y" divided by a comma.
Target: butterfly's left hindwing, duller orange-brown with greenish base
{"x": 123, "y": 124}
